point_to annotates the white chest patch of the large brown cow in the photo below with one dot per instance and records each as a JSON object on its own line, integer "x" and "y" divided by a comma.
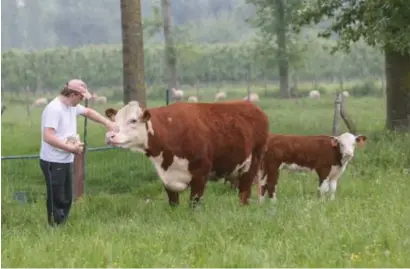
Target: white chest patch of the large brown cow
{"x": 177, "y": 176}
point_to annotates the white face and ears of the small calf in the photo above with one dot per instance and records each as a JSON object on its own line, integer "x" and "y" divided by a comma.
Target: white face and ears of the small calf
{"x": 347, "y": 143}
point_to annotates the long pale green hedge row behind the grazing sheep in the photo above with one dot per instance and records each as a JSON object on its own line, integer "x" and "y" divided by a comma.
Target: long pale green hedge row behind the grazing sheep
{"x": 101, "y": 66}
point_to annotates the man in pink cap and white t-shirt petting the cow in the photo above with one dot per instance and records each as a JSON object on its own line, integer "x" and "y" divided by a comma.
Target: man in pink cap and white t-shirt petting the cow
{"x": 59, "y": 122}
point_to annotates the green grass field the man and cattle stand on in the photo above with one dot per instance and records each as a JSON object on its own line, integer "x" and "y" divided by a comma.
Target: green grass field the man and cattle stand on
{"x": 368, "y": 225}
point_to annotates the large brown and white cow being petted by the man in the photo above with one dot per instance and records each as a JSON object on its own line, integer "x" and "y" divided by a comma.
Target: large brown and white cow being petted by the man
{"x": 189, "y": 143}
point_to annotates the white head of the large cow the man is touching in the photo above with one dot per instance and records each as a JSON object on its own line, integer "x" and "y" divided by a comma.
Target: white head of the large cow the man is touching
{"x": 132, "y": 132}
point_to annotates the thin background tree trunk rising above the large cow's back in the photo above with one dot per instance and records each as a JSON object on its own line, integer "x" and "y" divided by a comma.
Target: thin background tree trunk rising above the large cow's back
{"x": 170, "y": 53}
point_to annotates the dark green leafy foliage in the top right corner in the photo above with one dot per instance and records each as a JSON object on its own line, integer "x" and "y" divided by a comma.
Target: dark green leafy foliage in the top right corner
{"x": 384, "y": 23}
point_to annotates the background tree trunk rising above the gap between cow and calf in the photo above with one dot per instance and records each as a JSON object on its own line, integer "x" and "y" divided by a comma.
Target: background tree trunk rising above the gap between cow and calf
{"x": 282, "y": 51}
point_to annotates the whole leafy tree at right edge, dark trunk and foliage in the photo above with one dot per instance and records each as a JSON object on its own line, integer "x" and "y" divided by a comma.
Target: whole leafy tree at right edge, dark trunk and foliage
{"x": 381, "y": 23}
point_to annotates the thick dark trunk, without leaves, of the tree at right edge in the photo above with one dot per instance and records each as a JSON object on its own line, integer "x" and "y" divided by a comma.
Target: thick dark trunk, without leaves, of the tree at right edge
{"x": 397, "y": 91}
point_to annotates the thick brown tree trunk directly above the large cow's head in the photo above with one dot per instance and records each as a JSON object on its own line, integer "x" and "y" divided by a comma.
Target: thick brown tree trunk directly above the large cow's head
{"x": 132, "y": 52}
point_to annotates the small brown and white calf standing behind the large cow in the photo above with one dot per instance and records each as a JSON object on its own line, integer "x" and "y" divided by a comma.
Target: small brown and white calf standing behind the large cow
{"x": 328, "y": 156}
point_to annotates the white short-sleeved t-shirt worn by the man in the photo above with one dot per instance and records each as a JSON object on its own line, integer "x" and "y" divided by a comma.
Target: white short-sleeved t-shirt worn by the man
{"x": 63, "y": 119}
